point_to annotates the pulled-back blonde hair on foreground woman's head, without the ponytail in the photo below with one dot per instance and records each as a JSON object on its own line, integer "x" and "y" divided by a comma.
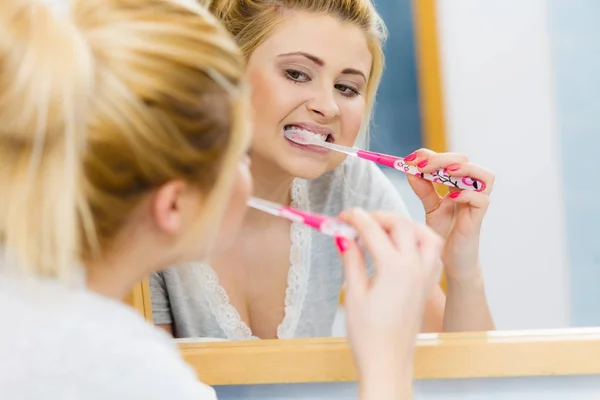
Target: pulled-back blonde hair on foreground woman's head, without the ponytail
{"x": 168, "y": 106}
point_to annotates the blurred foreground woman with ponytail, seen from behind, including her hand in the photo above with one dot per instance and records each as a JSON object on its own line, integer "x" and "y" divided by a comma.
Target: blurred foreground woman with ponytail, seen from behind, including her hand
{"x": 123, "y": 147}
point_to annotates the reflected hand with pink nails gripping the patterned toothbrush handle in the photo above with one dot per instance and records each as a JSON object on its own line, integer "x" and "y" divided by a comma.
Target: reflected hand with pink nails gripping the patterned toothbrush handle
{"x": 458, "y": 216}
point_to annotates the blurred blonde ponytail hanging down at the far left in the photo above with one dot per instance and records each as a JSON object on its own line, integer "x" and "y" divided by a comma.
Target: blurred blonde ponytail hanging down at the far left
{"x": 46, "y": 78}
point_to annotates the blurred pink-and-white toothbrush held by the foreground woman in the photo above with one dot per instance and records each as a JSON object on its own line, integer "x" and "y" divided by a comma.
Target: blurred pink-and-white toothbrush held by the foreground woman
{"x": 324, "y": 224}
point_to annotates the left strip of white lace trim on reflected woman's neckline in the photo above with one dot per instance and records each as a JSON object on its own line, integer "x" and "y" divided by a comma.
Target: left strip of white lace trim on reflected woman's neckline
{"x": 227, "y": 317}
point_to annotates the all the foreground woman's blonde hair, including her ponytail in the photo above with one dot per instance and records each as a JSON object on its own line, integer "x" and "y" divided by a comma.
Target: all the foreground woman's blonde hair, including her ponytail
{"x": 156, "y": 90}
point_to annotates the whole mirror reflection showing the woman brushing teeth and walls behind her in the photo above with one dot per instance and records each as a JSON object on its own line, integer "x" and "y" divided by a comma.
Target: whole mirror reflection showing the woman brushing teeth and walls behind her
{"x": 507, "y": 107}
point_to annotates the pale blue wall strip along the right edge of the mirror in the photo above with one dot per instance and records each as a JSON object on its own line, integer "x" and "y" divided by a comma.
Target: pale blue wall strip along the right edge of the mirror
{"x": 575, "y": 38}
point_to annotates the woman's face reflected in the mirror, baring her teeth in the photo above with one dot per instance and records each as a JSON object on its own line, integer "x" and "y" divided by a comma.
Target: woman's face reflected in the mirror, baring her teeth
{"x": 311, "y": 73}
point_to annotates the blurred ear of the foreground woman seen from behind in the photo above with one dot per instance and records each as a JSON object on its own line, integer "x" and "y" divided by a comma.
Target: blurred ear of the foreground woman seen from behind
{"x": 167, "y": 206}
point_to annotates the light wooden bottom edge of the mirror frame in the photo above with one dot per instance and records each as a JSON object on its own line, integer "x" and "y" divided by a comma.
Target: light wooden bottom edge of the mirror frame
{"x": 444, "y": 356}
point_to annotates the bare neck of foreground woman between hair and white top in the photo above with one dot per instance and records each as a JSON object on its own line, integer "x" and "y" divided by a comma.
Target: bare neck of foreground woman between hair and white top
{"x": 116, "y": 274}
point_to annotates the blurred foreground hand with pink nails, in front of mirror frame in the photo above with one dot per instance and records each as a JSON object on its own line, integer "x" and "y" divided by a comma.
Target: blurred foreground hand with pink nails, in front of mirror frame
{"x": 384, "y": 313}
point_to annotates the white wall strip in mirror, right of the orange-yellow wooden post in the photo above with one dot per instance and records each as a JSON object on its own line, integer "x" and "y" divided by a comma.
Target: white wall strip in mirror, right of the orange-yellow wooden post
{"x": 500, "y": 110}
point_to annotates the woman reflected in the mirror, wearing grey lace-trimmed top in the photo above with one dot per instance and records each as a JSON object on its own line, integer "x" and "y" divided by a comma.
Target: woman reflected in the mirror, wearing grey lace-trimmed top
{"x": 316, "y": 65}
